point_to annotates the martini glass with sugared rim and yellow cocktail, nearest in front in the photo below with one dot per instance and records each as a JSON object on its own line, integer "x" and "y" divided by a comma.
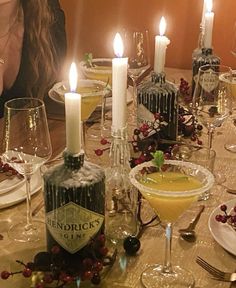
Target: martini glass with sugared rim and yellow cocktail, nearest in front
{"x": 170, "y": 193}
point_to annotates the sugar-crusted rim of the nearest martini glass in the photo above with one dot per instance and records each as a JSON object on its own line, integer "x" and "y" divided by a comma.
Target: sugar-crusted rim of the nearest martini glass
{"x": 187, "y": 193}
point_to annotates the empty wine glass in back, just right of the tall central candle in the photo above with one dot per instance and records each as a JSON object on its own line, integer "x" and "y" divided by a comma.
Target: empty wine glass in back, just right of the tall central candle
{"x": 136, "y": 44}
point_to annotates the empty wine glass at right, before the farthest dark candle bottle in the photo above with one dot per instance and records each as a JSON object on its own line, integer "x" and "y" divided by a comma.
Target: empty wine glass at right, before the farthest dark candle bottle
{"x": 212, "y": 101}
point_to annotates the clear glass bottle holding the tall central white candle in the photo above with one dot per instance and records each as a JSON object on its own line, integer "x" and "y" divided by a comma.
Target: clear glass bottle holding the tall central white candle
{"x": 121, "y": 196}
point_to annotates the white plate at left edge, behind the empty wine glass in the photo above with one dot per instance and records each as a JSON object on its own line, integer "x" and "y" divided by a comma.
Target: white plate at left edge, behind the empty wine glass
{"x": 18, "y": 194}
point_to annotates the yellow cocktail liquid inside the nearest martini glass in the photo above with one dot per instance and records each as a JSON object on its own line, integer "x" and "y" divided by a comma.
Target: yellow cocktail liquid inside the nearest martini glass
{"x": 169, "y": 206}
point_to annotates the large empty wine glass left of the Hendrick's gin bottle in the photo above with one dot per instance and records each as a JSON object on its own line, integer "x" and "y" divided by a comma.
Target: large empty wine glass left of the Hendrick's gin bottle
{"x": 26, "y": 147}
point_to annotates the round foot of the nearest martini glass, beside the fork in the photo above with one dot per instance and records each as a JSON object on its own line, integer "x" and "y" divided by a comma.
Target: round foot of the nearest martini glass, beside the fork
{"x": 154, "y": 277}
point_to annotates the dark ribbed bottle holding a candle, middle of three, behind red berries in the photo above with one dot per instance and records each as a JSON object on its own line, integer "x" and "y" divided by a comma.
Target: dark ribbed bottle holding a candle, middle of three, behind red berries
{"x": 159, "y": 98}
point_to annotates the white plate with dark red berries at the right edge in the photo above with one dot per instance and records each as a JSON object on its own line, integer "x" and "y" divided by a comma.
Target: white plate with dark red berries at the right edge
{"x": 223, "y": 233}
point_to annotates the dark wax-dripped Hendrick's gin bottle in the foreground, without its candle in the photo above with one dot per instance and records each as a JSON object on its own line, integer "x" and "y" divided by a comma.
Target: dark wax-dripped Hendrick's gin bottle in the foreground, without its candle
{"x": 74, "y": 195}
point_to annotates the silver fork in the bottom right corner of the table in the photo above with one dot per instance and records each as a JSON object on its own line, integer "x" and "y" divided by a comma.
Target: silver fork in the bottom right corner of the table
{"x": 216, "y": 273}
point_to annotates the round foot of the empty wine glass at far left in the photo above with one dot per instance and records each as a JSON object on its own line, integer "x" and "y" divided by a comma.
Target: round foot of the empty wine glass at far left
{"x": 27, "y": 233}
